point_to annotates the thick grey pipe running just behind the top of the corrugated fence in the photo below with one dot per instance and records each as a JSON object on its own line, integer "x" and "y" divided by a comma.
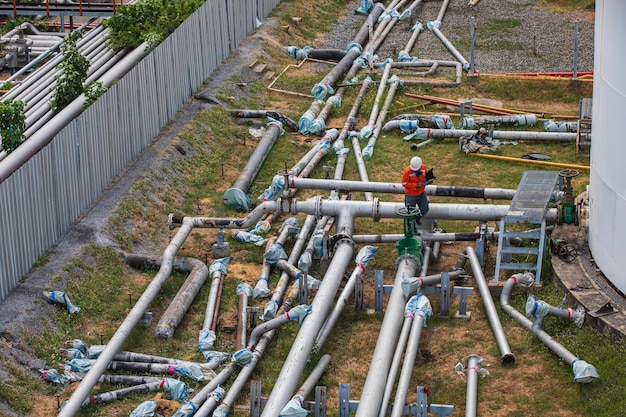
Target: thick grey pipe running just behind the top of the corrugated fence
{"x": 42, "y": 137}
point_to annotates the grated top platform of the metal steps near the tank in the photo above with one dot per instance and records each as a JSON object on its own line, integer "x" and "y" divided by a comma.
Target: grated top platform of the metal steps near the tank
{"x": 533, "y": 194}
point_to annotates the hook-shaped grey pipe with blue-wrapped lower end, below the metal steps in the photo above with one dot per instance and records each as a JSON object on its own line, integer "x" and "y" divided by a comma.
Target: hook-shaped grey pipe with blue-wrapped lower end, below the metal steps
{"x": 583, "y": 371}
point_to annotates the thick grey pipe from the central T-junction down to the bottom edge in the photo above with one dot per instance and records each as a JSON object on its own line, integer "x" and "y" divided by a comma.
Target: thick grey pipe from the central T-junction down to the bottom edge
{"x": 303, "y": 344}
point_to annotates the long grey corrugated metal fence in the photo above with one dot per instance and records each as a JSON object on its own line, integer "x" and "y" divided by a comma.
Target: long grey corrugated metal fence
{"x": 46, "y": 195}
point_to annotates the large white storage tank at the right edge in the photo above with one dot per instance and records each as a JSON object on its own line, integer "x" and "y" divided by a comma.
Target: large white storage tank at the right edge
{"x": 607, "y": 184}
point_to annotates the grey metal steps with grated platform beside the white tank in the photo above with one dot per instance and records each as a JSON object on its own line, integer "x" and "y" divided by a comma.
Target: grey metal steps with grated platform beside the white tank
{"x": 525, "y": 220}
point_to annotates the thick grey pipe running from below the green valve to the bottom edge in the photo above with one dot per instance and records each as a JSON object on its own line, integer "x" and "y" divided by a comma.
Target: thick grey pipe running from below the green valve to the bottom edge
{"x": 374, "y": 387}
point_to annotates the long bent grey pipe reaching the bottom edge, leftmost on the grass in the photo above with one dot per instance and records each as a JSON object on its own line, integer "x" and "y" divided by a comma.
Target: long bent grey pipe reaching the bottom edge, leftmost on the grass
{"x": 129, "y": 323}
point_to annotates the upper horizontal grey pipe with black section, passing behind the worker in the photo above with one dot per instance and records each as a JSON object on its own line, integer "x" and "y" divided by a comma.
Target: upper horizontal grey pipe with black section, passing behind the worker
{"x": 397, "y": 188}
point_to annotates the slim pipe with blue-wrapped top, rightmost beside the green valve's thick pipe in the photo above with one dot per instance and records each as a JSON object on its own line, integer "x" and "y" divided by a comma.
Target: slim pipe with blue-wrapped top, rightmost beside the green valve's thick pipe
{"x": 422, "y": 313}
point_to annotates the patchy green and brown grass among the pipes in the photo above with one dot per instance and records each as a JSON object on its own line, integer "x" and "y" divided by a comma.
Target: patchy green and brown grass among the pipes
{"x": 217, "y": 148}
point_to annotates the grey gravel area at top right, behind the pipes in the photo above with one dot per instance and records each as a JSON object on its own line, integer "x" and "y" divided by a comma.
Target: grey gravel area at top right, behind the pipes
{"x": 553, "y": 35}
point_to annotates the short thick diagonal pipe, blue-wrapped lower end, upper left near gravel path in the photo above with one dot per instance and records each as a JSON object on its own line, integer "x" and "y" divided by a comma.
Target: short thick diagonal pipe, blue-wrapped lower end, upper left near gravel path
{"x": 236, "y": 195}
